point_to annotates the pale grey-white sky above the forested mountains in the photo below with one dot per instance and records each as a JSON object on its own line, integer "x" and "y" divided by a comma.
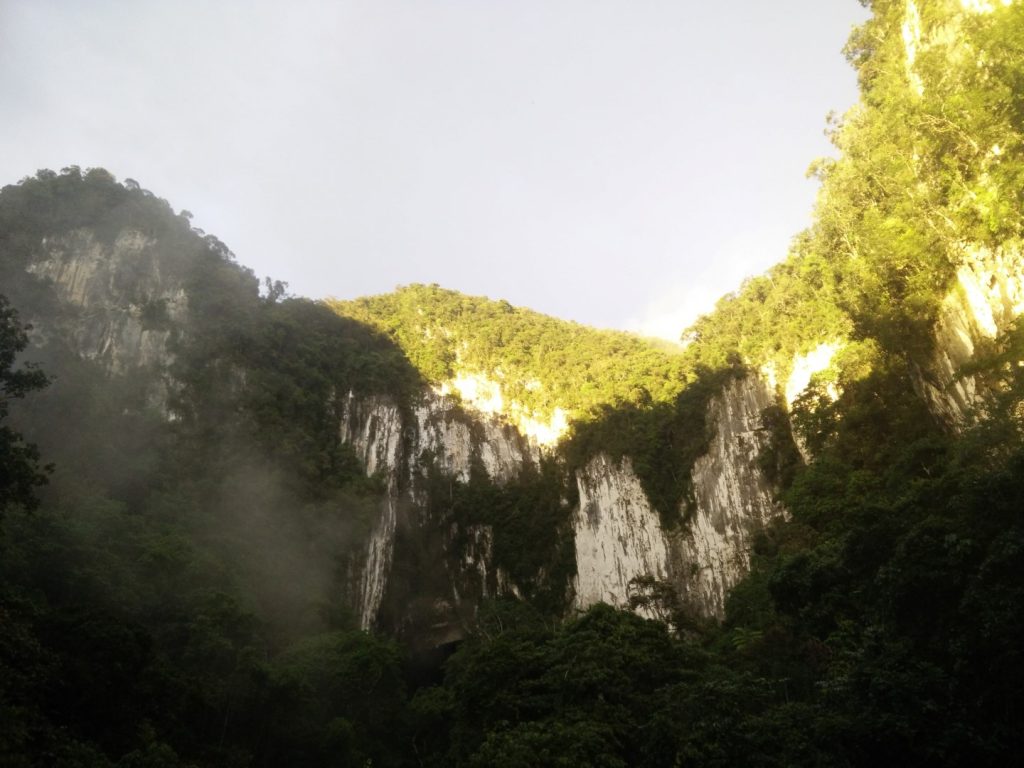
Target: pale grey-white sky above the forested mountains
{"x": 621, "y": 164}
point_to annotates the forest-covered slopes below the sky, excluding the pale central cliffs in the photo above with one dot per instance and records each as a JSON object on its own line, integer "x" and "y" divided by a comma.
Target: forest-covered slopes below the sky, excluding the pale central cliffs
{"x": 182, "y": 522}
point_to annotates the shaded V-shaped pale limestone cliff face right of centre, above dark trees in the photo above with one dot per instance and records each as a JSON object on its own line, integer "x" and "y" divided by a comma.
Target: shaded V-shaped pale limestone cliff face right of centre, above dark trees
{"x": 619, "y": 537}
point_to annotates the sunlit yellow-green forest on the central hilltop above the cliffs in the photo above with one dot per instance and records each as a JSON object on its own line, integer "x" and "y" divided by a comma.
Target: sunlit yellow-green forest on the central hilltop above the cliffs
{"x": 540, "y": 362}
